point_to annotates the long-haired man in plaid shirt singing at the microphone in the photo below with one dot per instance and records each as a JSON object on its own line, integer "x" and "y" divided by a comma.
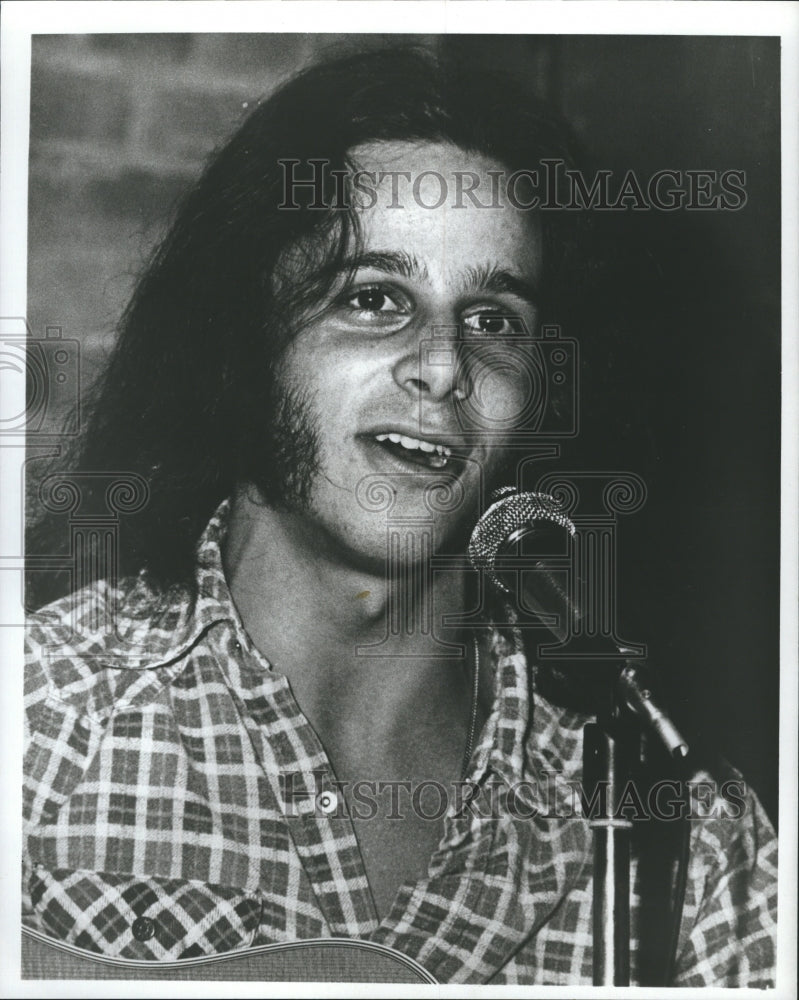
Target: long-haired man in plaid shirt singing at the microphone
{"x": 320, "y": 380}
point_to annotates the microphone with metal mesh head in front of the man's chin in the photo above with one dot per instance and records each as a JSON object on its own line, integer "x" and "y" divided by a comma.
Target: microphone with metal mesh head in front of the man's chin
{"x": 514, "y": 516}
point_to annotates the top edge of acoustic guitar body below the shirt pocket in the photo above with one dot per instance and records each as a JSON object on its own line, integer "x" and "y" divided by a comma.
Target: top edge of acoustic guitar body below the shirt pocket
{"x": 326, "y": 960}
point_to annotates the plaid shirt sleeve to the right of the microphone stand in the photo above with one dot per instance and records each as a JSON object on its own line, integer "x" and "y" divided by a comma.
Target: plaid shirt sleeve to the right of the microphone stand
{"x": 728, "y": 935}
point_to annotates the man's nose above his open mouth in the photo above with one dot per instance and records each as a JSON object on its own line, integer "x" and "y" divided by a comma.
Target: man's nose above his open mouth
{"x": 431, "y": 368}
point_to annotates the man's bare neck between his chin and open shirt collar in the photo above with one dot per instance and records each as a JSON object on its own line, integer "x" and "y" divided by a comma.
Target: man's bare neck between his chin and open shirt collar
{"x": 298, "y": 597}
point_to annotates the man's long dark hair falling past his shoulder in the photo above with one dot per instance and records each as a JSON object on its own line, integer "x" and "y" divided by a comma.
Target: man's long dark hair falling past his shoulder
{"x": 188, "y": 394}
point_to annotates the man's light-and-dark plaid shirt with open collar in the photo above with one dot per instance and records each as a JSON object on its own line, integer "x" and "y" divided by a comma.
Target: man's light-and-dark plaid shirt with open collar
{"x": 158, "y": 826}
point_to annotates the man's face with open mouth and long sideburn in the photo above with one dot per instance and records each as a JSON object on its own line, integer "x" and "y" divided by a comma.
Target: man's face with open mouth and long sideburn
{"x": 398, "y": 415}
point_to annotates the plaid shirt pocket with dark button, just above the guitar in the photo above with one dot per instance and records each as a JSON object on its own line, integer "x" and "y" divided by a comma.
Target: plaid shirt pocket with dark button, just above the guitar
{"x": 129, "y": 916}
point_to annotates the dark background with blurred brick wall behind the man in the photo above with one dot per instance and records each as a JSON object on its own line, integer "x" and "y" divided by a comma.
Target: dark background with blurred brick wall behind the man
{"x": 679, "y": 331}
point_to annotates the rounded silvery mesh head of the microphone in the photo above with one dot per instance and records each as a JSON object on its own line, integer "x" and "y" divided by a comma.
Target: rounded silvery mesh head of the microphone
{"x": 506, "y": 516}
